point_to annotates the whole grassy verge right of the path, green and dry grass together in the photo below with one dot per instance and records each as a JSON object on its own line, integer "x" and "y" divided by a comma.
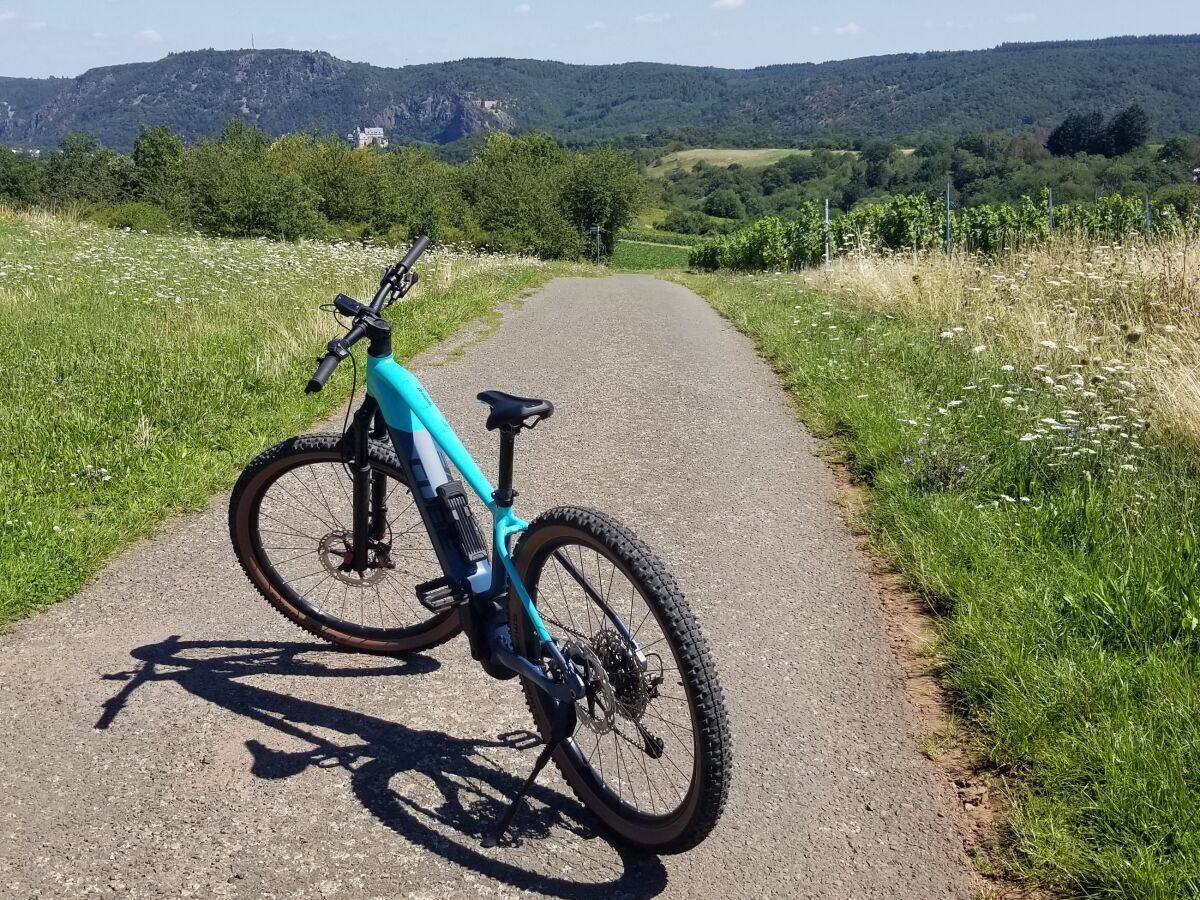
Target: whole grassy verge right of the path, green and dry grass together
{"x": 1028, "y": 430}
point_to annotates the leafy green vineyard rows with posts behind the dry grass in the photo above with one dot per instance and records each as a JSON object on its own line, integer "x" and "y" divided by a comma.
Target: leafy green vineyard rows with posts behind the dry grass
{"x": 917, "y": 223}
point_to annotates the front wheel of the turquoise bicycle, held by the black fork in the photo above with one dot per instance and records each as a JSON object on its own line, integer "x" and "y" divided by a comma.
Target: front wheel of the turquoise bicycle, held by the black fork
{"x": 291, "y": 521}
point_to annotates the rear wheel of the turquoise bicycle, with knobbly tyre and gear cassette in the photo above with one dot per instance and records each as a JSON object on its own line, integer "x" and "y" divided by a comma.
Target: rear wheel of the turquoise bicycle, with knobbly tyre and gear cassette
{"x": 651, "y": 755}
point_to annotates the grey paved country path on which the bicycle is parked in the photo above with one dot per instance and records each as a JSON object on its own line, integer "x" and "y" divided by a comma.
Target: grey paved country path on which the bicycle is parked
{"x": 165, "y": 734}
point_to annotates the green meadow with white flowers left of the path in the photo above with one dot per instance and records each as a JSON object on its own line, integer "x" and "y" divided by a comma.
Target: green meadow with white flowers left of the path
{"x": 142, "y": 373}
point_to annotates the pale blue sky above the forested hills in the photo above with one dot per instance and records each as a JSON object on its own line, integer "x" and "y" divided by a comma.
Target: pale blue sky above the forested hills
{"x": 40, "y": 38}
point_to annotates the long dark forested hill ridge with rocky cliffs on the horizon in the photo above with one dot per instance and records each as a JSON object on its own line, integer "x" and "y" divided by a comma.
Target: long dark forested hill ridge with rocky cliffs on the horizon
{"x": 908, "y": 95}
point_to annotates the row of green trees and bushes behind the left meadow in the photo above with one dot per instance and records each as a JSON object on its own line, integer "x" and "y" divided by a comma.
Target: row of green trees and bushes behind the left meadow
{"x": 525, "y": 195}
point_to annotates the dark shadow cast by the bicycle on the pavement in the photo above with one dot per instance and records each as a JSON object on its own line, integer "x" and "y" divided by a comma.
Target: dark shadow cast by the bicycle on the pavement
{"x": 472, "y": 789}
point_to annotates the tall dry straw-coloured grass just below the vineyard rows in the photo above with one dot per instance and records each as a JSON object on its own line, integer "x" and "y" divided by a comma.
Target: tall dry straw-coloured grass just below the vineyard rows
{"x": 1135, "y": 304}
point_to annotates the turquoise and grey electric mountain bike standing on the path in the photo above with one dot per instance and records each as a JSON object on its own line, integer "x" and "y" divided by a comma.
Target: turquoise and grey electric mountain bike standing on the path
{"x": 604, "y": 691}
